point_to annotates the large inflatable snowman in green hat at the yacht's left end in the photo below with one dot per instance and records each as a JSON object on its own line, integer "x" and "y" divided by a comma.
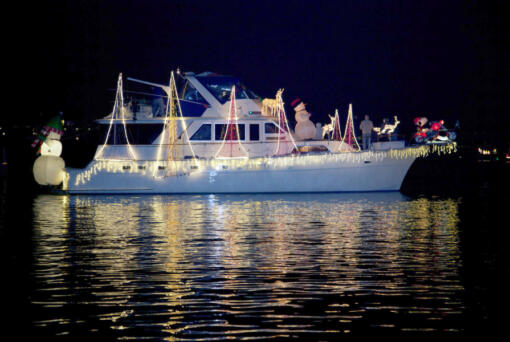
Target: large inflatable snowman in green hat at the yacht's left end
{"x": 49, "y": 166}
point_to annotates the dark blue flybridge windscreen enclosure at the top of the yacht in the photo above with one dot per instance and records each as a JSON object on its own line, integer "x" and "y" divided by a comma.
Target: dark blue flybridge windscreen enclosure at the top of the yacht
{"x": 221, "y": 86}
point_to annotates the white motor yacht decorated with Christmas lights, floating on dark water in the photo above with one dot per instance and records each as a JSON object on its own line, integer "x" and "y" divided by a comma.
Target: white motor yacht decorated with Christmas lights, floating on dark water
{"x": 215, "y": 135}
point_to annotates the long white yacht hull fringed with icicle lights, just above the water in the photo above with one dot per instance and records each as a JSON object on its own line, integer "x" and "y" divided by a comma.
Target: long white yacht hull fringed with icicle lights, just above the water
{"x": 342, "y": 172}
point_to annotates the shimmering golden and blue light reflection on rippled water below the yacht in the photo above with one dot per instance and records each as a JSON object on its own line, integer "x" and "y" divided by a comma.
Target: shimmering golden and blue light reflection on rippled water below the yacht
{"x": 207, "y": 267}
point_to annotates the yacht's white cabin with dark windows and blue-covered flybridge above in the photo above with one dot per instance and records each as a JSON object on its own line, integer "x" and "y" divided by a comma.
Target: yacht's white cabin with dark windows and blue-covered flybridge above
{"x": 205, "y": 102}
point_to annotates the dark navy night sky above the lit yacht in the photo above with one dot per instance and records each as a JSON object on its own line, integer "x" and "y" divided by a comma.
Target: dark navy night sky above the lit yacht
{"x": 441, "y": 59}
